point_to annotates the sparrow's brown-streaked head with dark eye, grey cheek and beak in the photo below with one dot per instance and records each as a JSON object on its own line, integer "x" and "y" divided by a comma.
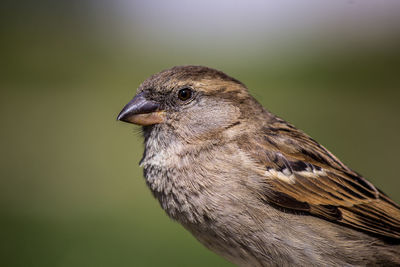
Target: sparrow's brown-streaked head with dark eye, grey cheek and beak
{"x": 193, "y": 101}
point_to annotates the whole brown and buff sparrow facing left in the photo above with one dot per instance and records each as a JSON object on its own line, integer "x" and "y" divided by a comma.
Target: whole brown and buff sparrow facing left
{"x": 250, "y": 186}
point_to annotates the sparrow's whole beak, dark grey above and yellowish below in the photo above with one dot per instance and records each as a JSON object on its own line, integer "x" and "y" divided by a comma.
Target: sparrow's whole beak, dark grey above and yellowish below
{"x": 142, "y": 111}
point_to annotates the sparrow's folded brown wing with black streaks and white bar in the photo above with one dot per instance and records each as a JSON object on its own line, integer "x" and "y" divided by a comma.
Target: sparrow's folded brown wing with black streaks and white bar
{"x": 303, "y": 176}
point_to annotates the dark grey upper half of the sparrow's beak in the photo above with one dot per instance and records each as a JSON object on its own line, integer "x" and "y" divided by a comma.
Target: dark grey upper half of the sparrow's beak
{"x": 138, "y": 105}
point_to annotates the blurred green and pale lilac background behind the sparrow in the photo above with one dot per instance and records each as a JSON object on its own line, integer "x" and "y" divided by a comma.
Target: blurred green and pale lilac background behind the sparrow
{"x": 71, "y": 190}
